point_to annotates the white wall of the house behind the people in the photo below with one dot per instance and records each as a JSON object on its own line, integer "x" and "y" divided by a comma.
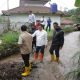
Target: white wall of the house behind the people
{"x": 20, "y": 19}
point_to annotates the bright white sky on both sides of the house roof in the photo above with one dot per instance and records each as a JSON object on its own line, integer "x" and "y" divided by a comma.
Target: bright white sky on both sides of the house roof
{"x": 62, "y": 4}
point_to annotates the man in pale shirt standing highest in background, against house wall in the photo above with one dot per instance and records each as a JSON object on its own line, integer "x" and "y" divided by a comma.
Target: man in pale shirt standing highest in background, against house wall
{"x": 31, "y": 20}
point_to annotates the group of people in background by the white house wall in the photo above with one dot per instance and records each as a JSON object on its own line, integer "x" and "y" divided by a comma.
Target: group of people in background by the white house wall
{"x": 33, "y": 22}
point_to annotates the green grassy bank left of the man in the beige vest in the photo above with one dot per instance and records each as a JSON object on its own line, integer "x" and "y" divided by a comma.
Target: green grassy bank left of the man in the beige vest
{"x": 9, "y": 44}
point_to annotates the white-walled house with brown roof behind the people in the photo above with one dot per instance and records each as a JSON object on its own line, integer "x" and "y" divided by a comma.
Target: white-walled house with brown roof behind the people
{"x": 19, "y": 15}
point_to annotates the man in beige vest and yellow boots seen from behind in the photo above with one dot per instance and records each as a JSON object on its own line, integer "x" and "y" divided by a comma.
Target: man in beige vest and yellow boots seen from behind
{"x": 25, "y": 43}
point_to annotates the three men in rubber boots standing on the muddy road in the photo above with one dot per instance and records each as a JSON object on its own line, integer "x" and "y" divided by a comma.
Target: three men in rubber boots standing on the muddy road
{"x": 25, "y": 43}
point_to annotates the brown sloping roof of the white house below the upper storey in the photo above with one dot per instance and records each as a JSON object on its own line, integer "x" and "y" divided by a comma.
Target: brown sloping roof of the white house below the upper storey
{"x": 26, "y": 9}
